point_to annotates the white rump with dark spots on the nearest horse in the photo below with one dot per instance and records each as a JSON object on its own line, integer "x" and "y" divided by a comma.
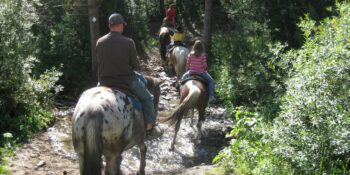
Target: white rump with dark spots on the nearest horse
{"x": 113, "y": 106}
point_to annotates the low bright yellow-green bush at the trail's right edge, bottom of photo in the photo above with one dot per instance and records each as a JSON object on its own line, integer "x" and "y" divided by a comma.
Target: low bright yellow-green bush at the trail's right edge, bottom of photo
{"x": 250, "y": 152}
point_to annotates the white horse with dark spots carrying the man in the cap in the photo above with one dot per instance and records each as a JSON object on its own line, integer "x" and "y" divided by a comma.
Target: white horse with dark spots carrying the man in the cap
{"x": 106, "y": 123}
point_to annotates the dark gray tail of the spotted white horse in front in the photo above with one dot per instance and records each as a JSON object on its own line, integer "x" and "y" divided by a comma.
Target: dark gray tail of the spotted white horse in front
{"x": 93, "y": 144}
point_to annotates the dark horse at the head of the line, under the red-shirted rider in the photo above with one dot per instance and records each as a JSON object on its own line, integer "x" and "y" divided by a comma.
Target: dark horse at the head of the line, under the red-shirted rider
{"x": 164, "y": 40}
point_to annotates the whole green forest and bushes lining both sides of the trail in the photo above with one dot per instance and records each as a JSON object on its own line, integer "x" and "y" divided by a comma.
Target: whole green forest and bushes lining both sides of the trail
{"x": 282, "y": 71}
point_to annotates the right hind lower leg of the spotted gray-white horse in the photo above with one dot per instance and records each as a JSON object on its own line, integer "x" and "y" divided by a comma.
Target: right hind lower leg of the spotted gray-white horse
{"x": 113, "y": 162}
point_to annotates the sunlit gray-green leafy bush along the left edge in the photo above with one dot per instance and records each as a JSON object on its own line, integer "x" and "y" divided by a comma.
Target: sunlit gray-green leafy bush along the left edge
{"x": 25, "y": 99}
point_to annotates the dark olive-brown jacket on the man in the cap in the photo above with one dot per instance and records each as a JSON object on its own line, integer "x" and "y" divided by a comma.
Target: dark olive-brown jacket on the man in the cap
{"x": 116, "y": 60}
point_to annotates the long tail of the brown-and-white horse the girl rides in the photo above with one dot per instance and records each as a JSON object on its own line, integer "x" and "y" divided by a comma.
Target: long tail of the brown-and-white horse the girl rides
{"x": 188, "y": 103}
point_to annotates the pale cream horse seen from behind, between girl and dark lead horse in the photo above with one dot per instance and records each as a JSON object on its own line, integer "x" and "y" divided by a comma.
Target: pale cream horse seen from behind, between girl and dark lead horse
{"x": 178, "y": 58}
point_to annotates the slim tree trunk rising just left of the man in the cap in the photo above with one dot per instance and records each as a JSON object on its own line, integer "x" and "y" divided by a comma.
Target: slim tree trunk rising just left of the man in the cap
{"x": 93, "y": 6}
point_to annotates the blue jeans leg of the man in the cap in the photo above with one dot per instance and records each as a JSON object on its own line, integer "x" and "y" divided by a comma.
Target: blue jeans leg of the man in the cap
{"x": 139, "y": 89}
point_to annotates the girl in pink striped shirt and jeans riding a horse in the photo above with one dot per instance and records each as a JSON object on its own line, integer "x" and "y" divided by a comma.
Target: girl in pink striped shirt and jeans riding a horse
{"x": 197, "y": 65}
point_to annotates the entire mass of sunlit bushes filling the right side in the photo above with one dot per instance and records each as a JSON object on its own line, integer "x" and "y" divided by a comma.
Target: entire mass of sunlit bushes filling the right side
{"x": 311, "y": 133}
